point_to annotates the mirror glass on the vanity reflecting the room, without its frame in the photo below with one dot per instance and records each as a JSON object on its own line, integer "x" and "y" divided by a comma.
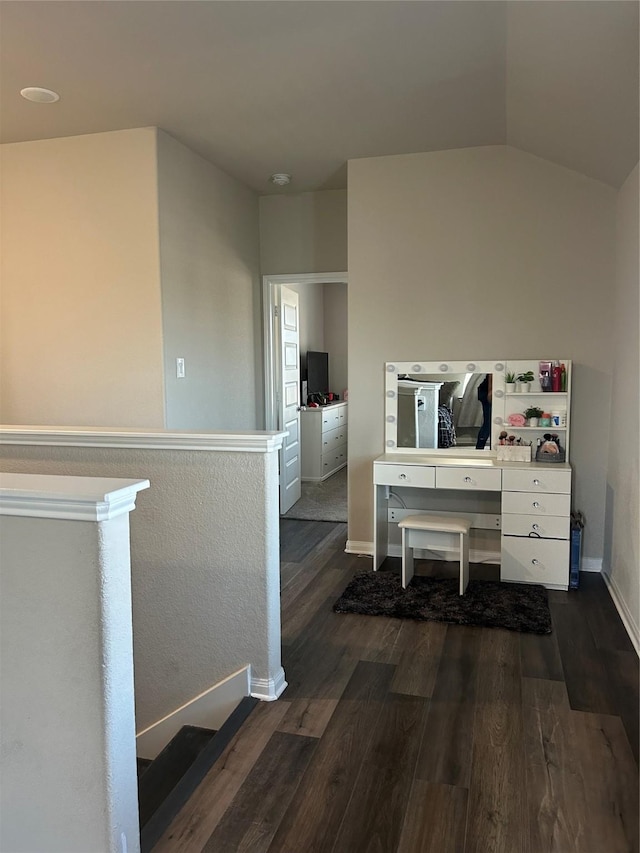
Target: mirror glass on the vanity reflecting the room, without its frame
{"x": 438, "y": 413}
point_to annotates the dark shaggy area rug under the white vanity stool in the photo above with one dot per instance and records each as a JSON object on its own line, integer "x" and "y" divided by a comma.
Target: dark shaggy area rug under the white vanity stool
{"x": 492, "y": 604}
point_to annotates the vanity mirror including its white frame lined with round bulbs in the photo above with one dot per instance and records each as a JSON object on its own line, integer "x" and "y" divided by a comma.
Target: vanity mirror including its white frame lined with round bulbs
{"x": 434, "y": 407}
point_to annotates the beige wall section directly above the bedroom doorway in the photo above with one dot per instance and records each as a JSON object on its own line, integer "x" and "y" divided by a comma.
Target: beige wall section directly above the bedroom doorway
{"x": 303, "y": 233}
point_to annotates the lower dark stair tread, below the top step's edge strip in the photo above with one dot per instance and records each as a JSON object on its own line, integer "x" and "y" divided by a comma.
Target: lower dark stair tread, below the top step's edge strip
{"x": 169, "y": 766}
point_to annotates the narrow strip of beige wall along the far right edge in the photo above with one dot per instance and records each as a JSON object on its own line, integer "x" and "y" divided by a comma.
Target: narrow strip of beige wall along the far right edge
{"x": 622, "y": 549}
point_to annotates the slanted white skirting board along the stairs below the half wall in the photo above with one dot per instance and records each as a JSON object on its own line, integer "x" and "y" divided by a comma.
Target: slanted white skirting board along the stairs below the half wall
{"x": 209, "y": 710}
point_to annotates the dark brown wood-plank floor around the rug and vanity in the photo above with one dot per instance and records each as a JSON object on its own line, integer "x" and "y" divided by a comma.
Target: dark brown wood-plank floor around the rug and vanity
{"x": 421, "y": 737}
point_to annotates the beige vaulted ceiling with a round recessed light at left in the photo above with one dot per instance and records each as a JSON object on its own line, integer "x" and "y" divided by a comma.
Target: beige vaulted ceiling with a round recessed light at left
{"x": 302, "y": 87}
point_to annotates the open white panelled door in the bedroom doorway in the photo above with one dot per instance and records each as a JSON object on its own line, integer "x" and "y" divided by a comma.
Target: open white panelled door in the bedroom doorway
{"x": 289, "y": 399}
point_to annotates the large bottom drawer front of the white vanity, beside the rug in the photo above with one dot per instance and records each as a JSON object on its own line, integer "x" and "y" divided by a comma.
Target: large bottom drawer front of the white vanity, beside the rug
{"x": 533, "y": 560}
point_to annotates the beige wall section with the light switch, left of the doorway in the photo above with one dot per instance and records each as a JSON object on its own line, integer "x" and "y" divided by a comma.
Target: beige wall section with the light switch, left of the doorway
{"x": 210, "y": 293}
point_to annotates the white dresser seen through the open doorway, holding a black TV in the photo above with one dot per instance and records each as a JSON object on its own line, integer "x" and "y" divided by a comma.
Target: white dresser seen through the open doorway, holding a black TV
{"x": 324, "y": 440}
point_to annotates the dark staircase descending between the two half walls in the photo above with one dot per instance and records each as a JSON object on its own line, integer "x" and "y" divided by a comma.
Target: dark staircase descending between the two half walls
{"x": 166, "y": 783}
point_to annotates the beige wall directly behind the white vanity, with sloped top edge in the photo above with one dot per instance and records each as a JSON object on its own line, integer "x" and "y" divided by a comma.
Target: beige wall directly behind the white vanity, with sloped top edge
{"x": 477, "y": 254}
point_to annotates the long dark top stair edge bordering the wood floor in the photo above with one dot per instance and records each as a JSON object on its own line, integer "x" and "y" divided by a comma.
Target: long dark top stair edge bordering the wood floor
{"x": 178, "y": 796}
